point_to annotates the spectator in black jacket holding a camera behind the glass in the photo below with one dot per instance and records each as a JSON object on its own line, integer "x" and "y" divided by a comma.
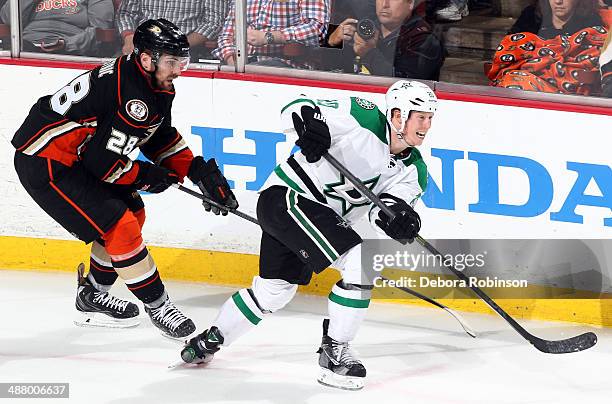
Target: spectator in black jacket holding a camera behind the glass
{"x": 402, "y": 44}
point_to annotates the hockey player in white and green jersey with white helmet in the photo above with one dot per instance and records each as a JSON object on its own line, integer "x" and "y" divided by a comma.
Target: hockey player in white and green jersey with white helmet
{"x": 306, "y": 210}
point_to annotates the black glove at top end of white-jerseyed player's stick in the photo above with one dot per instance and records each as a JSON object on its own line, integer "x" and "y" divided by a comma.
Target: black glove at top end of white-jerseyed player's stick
{"x": 313, "y": 132}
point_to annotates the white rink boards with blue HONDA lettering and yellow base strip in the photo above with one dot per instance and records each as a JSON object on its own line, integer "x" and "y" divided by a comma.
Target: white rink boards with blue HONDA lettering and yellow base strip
{"x": 497, "y": 171}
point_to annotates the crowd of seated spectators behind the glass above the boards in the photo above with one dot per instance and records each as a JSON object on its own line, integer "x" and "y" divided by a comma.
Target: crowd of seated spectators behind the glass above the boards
{"x": 556, "y": 46}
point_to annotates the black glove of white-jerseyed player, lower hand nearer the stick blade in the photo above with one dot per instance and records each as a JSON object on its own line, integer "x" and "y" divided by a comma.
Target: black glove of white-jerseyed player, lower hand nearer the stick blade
{"x": 406, "y": 223}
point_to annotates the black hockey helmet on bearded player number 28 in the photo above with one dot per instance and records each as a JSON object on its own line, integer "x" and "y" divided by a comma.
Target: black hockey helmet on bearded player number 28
{"x": 160, "y": 36}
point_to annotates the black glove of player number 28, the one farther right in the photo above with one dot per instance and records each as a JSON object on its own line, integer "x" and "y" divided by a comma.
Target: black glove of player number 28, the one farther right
{"x": 207, "y": 176}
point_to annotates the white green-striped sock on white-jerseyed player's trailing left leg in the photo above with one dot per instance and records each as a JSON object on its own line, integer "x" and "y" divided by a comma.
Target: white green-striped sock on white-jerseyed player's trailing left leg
{"x": 238, "y": 315}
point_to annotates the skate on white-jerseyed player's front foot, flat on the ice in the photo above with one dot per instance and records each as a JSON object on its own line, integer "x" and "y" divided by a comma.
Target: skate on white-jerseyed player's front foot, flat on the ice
{"x": 340, "y": 367}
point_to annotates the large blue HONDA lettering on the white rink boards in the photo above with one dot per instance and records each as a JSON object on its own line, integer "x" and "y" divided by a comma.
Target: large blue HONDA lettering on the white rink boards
{"x": 442, "y": 194}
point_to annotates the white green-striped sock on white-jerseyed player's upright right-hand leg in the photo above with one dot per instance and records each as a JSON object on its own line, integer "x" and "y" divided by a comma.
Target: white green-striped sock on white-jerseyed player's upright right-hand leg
{"x": 347, "y": 309}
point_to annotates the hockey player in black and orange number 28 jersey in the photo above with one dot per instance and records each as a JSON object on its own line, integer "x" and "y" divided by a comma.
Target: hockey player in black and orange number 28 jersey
{"x": 72, "y": 158}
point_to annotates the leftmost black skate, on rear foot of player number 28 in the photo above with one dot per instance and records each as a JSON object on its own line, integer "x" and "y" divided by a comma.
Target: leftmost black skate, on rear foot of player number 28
{"x": 101, "y": 309}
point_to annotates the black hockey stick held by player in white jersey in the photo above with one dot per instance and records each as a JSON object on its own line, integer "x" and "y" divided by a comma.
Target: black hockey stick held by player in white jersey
{"x": 573, "y": 344}
